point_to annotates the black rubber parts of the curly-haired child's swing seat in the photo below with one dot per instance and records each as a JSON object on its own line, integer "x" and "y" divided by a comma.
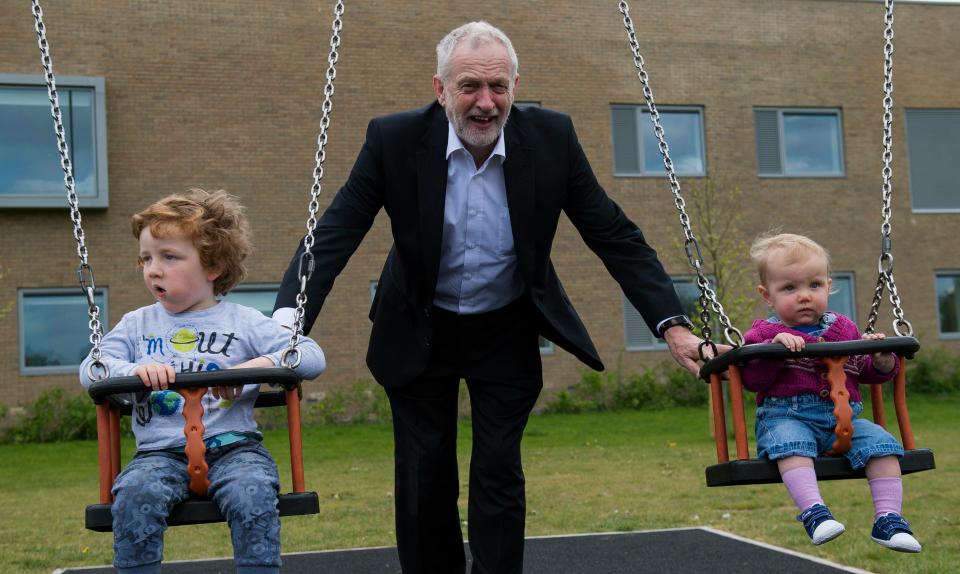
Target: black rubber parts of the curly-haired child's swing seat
{"x": 202, "y": 510}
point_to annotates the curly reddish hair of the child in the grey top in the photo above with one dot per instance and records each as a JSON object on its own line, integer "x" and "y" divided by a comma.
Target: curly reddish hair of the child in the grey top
{"x": 213, "y": 222}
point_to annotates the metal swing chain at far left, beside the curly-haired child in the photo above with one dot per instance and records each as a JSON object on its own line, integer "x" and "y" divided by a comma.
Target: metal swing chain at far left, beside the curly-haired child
{"x": 97, "y": 369}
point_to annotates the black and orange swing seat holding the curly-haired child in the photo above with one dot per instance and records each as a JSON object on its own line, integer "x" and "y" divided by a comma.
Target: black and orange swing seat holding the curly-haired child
{"x": 197, "y": 509}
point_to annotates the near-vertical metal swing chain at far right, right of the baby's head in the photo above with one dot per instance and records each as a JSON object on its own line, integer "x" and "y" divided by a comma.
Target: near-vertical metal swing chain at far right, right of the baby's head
{"x": 901, "y": 326}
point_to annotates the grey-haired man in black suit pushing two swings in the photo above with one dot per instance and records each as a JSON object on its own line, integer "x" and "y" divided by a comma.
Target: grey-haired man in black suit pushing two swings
{"x": 468, "y": 286}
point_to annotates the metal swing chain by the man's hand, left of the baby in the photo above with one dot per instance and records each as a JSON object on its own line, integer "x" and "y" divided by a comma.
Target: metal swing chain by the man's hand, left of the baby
{"x": 708, "y": 298}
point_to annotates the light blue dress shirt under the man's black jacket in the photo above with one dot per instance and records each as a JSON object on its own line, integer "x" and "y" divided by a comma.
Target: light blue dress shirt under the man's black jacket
{"x": 478, "y": 260}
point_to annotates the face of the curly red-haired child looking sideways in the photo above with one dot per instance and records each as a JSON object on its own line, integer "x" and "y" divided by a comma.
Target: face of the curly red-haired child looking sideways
{"x": 173, "y": 273}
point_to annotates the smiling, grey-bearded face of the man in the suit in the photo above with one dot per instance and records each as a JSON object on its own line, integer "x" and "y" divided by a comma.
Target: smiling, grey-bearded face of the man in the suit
{"x": 477, "y": 93}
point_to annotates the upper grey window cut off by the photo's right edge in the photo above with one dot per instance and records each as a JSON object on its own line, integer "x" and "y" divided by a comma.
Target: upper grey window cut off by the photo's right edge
{"x": 933, "y": 138}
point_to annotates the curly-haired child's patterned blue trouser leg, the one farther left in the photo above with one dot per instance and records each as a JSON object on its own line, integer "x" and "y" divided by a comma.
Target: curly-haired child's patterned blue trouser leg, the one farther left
{"x": 144, "y": 493}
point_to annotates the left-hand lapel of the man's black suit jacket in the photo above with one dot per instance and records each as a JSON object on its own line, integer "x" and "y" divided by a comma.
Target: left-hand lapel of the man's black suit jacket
{"x": 431, "y": 193}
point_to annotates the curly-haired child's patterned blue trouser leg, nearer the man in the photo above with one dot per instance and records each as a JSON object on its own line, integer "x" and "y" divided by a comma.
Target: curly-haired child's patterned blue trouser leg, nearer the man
{"x": 244, "y": 484}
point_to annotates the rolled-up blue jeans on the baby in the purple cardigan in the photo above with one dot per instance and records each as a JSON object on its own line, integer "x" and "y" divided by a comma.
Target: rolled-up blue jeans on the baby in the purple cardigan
{"x": 804, "y": 426}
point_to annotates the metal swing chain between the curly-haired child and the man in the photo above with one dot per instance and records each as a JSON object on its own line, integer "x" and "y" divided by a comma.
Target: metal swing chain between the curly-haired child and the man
{"x": 307, "y": 263}
